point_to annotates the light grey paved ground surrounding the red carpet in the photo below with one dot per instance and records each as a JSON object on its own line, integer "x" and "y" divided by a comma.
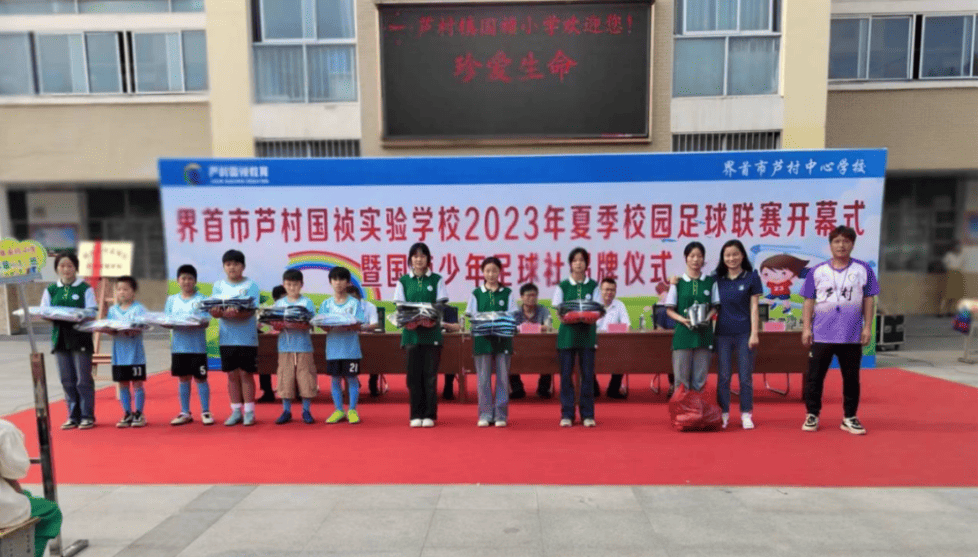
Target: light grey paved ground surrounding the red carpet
{"x": 516, "y": 521}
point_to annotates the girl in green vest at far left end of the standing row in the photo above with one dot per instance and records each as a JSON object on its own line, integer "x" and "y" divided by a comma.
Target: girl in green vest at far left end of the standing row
{"x": 72, "y": 348}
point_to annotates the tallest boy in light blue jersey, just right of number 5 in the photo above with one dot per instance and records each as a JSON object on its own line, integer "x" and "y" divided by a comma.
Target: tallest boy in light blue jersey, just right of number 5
{"x": 238, "y": 338}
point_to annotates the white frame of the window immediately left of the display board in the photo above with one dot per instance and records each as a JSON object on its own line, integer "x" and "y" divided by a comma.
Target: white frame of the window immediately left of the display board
{"x": 305, "y": 43}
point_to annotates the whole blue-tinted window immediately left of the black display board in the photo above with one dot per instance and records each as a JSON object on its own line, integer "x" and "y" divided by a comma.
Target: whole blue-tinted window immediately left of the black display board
{"x": 305, "y": 51}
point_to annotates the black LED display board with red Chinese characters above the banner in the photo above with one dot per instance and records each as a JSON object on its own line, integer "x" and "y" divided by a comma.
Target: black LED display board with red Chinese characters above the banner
{"x": 516, "y": 71}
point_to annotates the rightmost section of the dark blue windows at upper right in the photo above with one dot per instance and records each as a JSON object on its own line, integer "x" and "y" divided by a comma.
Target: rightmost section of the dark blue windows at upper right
{"x": 948, "y": 47}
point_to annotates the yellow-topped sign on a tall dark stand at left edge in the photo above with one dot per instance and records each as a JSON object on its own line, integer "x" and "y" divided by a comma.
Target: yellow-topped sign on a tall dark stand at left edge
{"x": 21, "y": 262}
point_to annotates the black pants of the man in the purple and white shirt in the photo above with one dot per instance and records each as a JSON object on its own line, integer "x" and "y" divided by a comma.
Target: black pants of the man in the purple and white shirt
{"x": 820, "y": 357}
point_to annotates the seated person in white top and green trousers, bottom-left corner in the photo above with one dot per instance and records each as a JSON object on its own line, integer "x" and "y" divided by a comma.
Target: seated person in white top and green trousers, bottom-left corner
{"x": 16, "y": 504}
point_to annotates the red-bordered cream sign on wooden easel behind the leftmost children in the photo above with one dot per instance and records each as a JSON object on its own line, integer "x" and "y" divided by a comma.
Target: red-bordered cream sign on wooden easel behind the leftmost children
{"x": 100, "y": 261}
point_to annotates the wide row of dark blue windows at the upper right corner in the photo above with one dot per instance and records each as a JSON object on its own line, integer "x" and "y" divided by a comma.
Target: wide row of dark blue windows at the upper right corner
{"x": 903, "y": 47}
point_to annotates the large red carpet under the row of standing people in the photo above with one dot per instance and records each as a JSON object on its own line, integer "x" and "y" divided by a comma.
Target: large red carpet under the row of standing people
{"x": 922, "y": 432}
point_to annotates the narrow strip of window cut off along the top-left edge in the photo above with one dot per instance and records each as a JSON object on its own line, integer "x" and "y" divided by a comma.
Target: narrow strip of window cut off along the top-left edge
{"x": 31, "y": 7}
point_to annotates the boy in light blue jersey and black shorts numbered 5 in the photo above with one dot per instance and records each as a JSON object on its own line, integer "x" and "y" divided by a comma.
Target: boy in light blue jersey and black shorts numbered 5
{"x": 188, "y": 348}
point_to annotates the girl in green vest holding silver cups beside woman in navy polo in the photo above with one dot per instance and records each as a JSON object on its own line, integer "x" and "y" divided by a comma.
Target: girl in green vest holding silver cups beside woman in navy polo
{"x": 691, "y": 348}
